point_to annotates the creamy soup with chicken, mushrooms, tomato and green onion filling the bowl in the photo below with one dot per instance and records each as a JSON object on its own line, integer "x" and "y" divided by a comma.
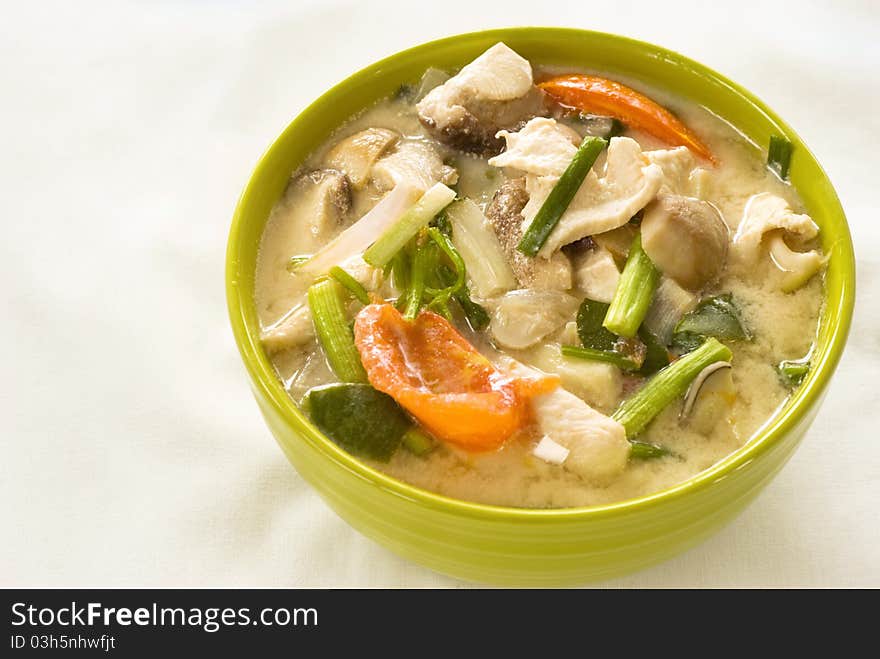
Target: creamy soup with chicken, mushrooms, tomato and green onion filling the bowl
{"x": 539, "y": 287}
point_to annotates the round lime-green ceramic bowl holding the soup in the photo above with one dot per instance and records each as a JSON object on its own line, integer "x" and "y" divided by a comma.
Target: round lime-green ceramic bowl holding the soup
{"x": 508, "y": 545}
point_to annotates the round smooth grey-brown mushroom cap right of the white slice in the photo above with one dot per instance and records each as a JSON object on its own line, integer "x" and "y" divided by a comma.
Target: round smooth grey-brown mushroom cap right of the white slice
{"x": 686, "y": 239}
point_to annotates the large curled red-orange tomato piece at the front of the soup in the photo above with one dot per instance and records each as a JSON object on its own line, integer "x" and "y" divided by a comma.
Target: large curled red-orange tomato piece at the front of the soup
{"x": 441, "y": 380}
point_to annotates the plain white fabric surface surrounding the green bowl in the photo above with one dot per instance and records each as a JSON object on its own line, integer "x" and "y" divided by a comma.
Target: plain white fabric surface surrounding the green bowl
{"x": 133, "y": 453}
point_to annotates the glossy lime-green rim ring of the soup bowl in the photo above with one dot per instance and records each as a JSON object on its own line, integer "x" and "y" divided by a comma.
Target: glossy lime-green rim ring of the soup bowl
{"x": 764, "y": 439}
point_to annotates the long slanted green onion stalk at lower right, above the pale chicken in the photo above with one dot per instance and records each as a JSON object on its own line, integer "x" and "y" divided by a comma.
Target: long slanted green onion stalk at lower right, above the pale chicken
{"x": 668, "y": 384}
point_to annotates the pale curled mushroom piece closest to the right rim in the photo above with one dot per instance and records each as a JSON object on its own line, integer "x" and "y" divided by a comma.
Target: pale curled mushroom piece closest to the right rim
{"x": 769, "y": 218}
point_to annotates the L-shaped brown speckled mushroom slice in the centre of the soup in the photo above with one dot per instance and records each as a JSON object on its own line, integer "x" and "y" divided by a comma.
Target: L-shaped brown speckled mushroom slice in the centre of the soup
{"x": 504, "y": 214}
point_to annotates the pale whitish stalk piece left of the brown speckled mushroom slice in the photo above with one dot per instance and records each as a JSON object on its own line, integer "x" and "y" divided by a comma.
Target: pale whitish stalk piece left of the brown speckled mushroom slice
{"x": 483, "y": 255}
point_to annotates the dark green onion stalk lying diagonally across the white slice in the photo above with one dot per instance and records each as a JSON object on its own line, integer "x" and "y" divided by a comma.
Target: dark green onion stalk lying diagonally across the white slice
{"x": 560, "y": 196}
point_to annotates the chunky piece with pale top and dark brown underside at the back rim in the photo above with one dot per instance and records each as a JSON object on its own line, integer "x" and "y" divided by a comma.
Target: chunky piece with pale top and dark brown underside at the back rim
{"x": 493, "y": 92}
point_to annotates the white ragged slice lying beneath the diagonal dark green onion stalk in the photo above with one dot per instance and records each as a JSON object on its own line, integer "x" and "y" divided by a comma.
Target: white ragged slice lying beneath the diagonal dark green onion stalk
{"x": 609, "y": 196}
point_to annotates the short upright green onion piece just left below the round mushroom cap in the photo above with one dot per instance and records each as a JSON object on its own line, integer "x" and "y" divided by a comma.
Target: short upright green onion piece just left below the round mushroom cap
{"x": 634, "y": 292}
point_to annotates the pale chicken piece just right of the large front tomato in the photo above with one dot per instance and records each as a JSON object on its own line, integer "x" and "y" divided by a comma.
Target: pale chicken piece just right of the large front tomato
{"x": 597, "y": 444}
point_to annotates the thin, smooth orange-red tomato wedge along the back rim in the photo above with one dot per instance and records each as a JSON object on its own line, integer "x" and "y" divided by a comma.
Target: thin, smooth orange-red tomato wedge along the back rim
{"x": 607, "y": 97}
